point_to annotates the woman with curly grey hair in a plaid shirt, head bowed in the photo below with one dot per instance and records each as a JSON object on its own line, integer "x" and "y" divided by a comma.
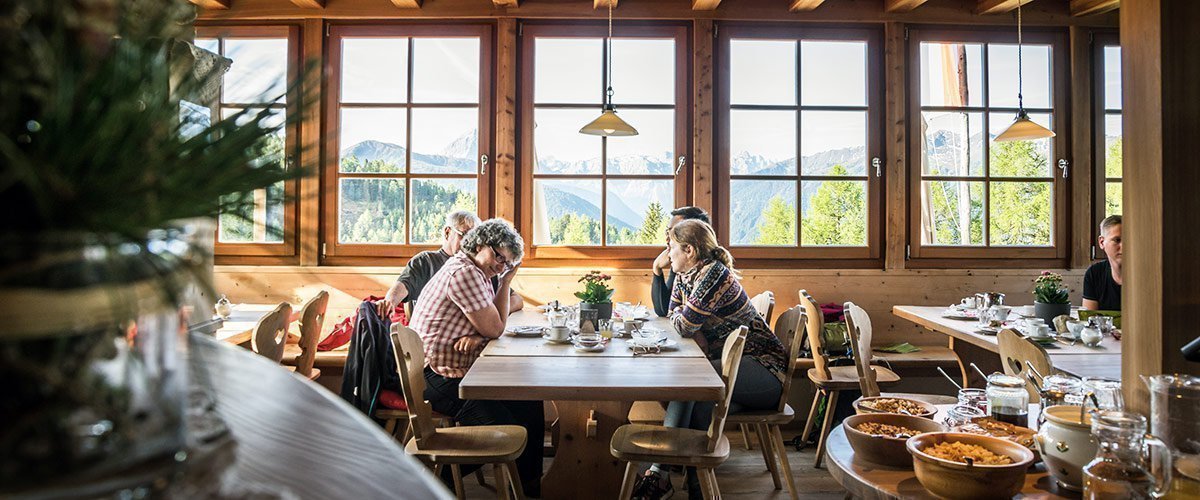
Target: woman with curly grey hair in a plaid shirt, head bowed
{"x": 459, "y": 312}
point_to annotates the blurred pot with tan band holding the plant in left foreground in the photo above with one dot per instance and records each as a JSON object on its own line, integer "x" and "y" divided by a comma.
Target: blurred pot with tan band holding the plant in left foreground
{"x": 93, "y": 354}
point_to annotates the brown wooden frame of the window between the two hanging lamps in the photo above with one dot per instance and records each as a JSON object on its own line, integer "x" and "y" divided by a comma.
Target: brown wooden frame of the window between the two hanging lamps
{"x": 824, "y": 256}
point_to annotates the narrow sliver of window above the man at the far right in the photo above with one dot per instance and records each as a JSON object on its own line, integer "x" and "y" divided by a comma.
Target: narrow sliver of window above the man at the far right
{"x": 1108, "y": 97}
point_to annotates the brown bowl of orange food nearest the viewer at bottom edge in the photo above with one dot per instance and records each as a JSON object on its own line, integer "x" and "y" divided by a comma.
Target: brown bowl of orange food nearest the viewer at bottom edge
{"x": 958, "y": 480}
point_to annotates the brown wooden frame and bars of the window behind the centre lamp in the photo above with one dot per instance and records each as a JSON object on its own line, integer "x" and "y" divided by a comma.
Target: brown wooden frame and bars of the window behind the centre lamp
{"x": 683, "y": 124}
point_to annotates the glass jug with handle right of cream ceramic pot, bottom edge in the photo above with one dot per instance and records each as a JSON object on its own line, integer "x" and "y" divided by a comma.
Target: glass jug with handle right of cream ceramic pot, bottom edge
{"x": 1120, "y": 469}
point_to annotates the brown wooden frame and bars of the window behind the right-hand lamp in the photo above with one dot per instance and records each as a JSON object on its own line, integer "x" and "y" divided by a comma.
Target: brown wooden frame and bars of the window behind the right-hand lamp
{"x": 1022, "y": 257}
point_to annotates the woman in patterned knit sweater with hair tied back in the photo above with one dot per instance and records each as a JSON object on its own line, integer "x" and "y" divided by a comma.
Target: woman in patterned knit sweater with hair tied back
{"x": 709, "y": 305}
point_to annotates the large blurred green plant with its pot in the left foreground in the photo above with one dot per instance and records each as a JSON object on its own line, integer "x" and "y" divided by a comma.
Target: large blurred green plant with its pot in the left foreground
{"x": 105, "y": 184}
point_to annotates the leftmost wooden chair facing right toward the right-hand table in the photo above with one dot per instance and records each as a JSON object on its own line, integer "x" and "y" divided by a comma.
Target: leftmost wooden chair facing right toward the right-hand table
{"x": 829, "y": 381}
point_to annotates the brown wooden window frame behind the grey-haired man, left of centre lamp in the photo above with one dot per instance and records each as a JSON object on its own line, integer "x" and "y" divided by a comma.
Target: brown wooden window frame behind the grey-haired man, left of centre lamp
{"x": 334, "y": 252}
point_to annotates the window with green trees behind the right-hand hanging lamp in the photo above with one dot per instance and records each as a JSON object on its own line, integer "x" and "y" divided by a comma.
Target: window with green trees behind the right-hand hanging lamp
{"x": 971, "y": 196}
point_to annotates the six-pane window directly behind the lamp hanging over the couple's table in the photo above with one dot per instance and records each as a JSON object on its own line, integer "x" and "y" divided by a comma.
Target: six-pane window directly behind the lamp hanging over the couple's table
{"x": 597, "y": 192}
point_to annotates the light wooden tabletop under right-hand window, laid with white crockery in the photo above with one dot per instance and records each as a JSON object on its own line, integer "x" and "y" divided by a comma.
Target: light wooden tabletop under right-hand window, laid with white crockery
{"x": 1077, "y": 360}
